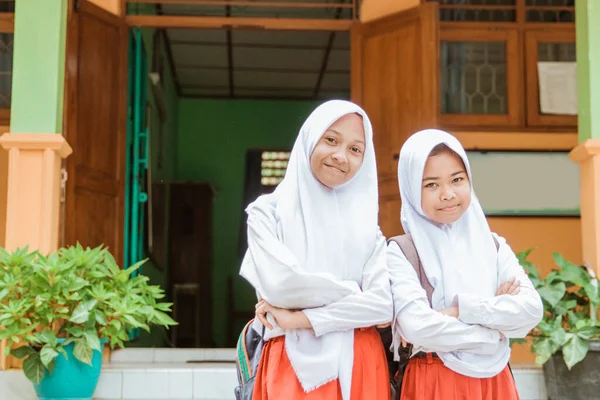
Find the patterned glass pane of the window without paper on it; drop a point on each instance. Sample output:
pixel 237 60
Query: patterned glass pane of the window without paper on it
pixel 473 77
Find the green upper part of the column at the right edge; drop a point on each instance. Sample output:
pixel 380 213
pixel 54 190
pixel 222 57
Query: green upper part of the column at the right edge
pixel 587 14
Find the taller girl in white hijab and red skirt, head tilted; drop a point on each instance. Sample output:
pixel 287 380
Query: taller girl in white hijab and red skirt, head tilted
pixel 316 258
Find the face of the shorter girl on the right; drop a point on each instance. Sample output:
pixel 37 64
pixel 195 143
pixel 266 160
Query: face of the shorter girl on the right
pixel 445 190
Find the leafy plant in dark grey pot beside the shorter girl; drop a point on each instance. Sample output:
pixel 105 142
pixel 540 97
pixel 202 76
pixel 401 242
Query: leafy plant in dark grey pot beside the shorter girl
pixel 567 340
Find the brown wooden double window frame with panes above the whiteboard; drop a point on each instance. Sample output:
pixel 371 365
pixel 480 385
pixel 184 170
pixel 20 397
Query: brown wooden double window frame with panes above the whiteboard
pixel 489 54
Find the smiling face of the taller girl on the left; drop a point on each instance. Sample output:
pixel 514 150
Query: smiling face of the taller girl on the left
pixel 339 153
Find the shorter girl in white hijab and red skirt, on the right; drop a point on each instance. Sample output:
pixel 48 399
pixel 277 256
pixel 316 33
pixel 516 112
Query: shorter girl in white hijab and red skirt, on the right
pixel 481 297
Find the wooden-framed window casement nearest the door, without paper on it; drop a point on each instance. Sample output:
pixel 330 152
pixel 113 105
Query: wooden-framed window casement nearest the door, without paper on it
pixel 478 84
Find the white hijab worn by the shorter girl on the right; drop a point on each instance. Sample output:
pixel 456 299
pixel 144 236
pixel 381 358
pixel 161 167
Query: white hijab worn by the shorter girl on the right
pixel 457 258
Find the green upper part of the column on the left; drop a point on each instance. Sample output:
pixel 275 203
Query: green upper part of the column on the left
pixel 38 66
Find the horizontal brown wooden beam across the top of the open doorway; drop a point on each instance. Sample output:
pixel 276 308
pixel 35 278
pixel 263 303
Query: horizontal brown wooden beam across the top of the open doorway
pixel 198 22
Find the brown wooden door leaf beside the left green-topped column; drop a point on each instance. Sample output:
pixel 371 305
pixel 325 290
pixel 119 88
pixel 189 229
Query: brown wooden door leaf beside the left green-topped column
pixel 95 127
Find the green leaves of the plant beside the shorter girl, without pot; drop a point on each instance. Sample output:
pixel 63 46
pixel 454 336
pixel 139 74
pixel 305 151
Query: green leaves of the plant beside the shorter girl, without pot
pixel 571 298
